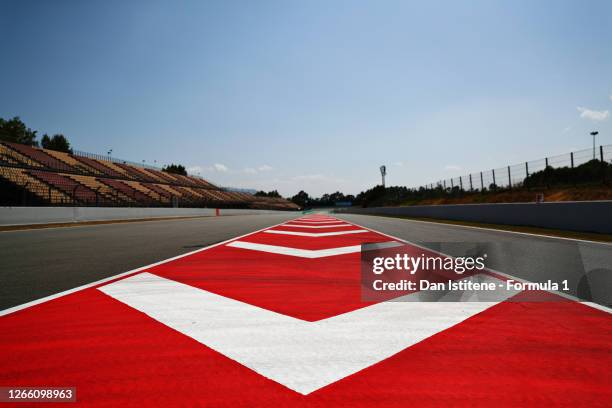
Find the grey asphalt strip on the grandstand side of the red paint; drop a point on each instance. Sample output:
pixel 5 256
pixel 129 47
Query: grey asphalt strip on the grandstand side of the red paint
pixel 42 262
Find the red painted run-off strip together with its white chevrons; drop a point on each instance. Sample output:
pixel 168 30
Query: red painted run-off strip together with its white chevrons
pixel 275 318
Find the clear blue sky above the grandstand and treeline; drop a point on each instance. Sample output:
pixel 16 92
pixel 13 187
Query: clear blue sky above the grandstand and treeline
pixel 312 95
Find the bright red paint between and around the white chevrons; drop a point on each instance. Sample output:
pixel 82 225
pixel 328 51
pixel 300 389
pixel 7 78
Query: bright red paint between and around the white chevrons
pixel 513 354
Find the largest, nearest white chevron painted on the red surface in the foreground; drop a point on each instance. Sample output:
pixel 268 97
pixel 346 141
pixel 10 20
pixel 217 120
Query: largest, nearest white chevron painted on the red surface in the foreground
pixel 303 356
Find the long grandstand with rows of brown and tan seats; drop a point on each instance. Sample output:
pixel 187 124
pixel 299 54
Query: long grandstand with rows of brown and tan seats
pixel 33 176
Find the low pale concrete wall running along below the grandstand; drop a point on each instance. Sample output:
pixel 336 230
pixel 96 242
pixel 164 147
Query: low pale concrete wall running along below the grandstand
pixel 49 215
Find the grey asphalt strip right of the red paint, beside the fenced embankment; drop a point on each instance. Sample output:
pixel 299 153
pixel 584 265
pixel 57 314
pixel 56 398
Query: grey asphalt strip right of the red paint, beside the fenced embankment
pixel 586 265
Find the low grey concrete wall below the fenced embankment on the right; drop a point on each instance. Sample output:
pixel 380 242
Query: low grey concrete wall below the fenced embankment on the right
pixel 586 216
